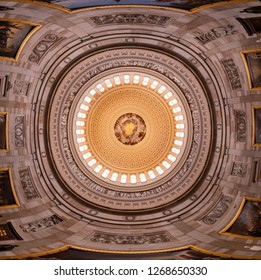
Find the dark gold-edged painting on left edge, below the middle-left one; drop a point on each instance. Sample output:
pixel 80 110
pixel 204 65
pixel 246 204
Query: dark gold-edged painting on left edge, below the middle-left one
pixel 7 193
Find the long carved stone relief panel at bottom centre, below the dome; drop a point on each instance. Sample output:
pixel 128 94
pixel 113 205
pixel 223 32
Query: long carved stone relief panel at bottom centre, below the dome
pixel 130 239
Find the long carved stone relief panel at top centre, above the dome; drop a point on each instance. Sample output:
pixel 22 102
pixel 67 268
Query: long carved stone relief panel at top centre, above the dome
pixel 130 18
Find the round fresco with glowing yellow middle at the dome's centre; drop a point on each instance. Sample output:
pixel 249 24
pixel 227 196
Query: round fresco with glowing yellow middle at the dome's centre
pixel 130 129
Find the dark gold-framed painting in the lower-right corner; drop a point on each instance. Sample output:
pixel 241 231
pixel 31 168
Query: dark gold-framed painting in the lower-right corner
pixel 248 223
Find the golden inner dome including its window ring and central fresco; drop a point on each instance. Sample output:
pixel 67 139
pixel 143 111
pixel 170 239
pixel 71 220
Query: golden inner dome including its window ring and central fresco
pixel 156 111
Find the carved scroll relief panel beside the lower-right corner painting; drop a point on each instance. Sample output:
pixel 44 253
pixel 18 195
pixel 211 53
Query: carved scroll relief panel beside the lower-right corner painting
pixel 218 211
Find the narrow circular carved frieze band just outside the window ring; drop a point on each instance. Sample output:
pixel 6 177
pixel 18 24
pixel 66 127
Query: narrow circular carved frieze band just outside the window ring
pixel 121 194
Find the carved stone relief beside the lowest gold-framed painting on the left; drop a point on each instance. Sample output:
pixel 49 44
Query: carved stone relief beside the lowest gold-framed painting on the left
pixel 28 186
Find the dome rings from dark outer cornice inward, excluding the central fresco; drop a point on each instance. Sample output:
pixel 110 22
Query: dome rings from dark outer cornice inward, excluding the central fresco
pixel 86 104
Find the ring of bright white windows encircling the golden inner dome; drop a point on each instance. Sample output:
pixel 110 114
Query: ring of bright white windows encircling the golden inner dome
pixel 136 79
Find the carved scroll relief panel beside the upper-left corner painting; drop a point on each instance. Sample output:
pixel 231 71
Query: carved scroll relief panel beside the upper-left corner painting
pixel 43 46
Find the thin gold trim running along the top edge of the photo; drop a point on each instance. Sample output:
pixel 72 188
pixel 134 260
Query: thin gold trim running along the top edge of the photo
pixel 67 10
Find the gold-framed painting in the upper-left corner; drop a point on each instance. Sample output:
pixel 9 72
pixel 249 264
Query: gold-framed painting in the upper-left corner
pixel 12 35
